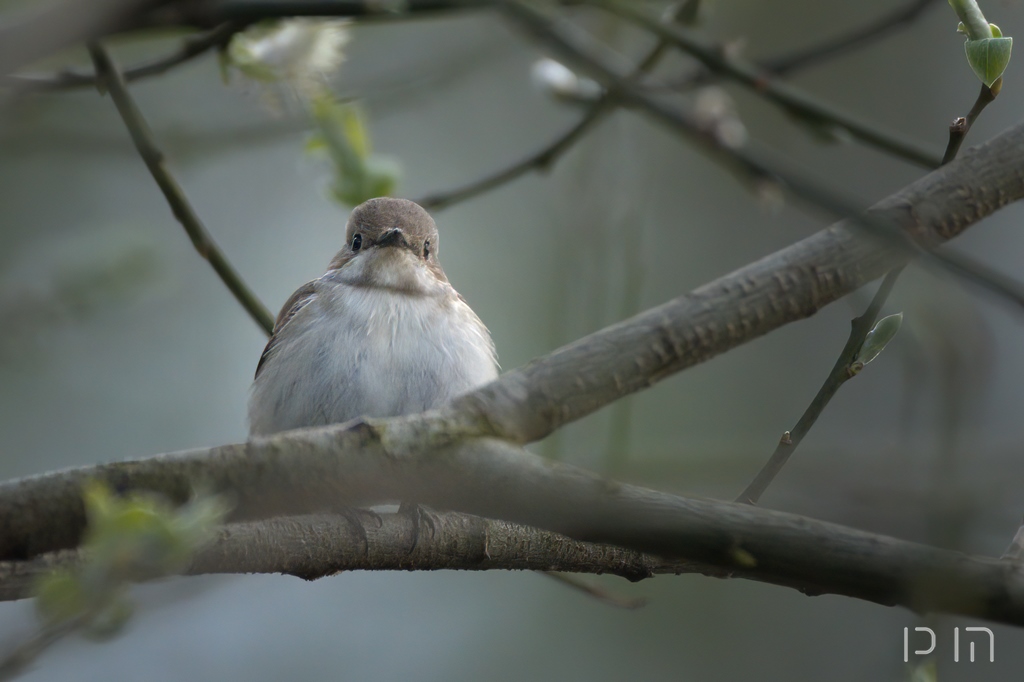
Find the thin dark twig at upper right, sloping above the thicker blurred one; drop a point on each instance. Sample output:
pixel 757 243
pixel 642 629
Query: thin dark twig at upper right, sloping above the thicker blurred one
pixel 790 99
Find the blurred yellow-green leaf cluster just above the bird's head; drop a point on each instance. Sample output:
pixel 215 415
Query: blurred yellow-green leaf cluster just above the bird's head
pixel 343 136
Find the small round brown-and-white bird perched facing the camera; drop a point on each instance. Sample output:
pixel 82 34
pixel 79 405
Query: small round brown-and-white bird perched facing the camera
pixel 382 333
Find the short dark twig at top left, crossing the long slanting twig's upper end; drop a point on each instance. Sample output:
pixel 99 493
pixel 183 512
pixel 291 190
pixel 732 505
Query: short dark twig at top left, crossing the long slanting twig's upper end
pixel 191 48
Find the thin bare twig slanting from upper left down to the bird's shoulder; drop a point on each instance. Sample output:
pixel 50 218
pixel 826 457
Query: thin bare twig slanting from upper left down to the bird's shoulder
pixel 108 72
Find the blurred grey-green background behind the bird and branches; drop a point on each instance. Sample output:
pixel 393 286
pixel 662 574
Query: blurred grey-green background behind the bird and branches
pixel 117 340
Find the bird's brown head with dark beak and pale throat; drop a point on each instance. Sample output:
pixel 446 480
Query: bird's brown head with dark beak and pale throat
pixel 388 238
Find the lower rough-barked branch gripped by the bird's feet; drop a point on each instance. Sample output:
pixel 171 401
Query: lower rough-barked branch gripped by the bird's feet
pixel 316 546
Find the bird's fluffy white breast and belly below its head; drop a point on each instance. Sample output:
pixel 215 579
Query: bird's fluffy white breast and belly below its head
pixel 371 352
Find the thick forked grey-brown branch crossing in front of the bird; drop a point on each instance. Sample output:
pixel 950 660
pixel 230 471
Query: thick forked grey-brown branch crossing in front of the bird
pixel 437 459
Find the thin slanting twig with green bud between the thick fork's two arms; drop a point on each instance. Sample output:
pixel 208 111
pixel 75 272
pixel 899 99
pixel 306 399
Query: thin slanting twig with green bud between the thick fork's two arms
pixel 839 376
